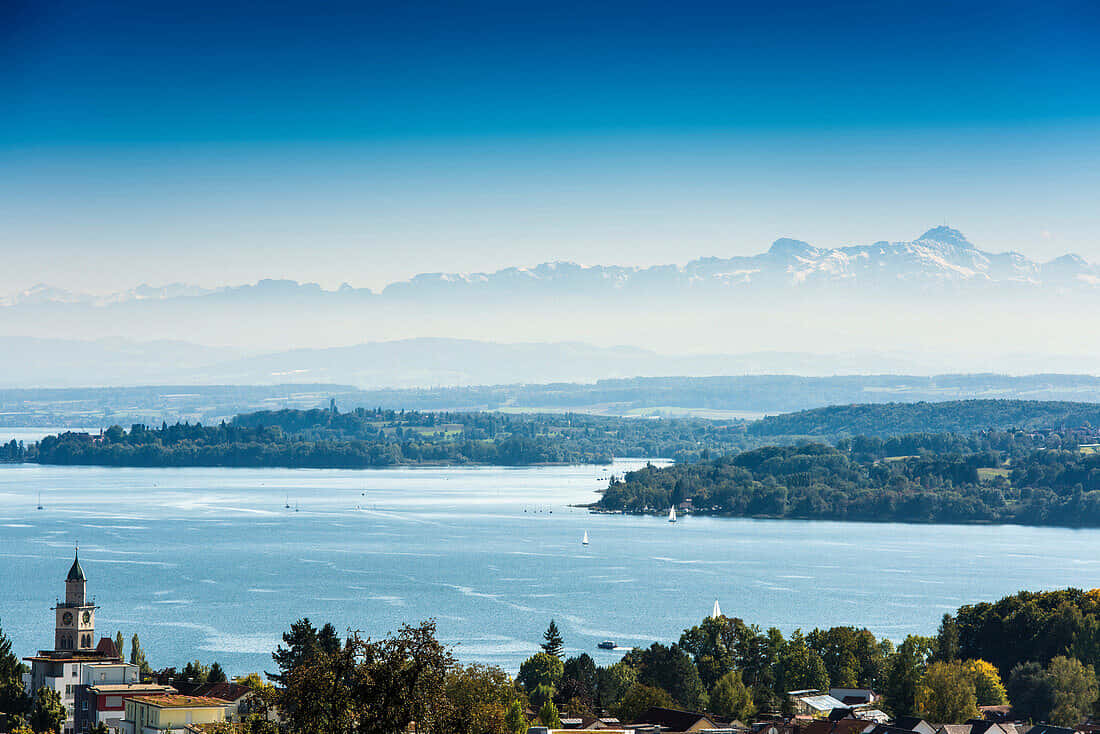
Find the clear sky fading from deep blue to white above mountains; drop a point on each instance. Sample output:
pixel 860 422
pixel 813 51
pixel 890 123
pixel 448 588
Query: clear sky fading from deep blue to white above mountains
pixel 224 143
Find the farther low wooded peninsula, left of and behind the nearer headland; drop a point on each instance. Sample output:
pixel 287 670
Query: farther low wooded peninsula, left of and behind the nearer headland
pixel 365 439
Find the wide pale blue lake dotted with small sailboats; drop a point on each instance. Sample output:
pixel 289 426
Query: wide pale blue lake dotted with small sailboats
pixel 210 564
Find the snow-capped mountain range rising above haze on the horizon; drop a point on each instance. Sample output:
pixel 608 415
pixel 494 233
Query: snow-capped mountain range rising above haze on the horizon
pixel 942 256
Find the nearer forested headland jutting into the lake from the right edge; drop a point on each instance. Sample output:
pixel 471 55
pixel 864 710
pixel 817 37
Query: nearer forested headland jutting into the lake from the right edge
pixel 1030 478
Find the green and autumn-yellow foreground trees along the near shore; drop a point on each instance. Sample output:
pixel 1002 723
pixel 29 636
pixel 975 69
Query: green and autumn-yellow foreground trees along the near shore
pixel 1035 654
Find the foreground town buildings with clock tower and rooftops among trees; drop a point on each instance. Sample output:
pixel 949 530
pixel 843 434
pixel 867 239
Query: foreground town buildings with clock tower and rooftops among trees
pixel 103 694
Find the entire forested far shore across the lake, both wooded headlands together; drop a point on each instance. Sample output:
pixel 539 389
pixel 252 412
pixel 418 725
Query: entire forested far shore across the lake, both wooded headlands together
pixel 992 462
